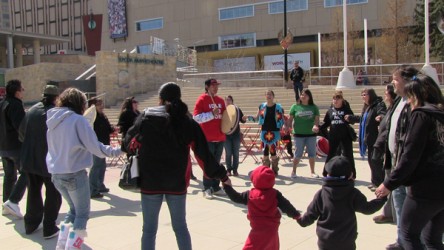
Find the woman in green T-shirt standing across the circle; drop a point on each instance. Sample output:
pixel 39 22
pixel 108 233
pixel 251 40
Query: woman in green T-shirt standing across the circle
pixel 304 116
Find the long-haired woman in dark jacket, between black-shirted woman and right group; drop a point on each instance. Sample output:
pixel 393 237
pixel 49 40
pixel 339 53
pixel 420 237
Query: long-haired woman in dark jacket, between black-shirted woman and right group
pixel 373 107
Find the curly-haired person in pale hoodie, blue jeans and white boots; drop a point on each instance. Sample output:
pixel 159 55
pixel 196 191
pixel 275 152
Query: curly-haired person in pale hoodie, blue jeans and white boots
pixel 71 144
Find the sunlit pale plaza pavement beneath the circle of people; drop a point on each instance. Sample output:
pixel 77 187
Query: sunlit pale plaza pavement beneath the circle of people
pixel 116 220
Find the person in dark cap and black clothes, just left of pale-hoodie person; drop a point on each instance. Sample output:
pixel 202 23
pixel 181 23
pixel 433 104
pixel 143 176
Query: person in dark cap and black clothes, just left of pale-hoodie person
pixel 32 133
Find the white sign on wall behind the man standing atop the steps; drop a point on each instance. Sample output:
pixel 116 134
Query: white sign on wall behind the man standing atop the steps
pixel 276 62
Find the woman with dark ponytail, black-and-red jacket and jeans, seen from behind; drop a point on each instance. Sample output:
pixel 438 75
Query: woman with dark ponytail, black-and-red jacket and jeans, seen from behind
pixel 163 137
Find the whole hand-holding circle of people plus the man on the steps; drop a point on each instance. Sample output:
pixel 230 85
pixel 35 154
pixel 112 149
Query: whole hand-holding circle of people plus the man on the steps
pixel 402 136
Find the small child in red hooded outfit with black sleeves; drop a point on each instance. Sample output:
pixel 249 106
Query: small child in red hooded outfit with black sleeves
pixel 263 202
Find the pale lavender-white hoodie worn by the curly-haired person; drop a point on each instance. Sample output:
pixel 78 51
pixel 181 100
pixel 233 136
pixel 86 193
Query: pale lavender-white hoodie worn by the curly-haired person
pixel 71 142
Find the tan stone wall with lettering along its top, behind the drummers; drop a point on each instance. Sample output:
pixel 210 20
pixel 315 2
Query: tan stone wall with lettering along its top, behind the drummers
pixel 120 75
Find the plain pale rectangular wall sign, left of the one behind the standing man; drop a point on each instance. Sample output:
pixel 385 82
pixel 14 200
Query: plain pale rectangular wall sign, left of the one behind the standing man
pixel 235 64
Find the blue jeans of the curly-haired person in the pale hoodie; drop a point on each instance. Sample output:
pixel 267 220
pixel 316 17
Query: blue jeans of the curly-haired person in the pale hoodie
pixel 74 188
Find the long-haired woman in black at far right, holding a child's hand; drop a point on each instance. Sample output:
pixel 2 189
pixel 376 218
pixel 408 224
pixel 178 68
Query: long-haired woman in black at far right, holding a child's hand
pixel 421 167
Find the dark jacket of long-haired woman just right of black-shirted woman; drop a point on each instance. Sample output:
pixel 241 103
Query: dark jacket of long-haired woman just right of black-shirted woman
pixel 371 125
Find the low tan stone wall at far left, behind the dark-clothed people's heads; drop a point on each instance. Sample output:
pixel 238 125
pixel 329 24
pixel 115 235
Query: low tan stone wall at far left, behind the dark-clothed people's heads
pixel 34 77
